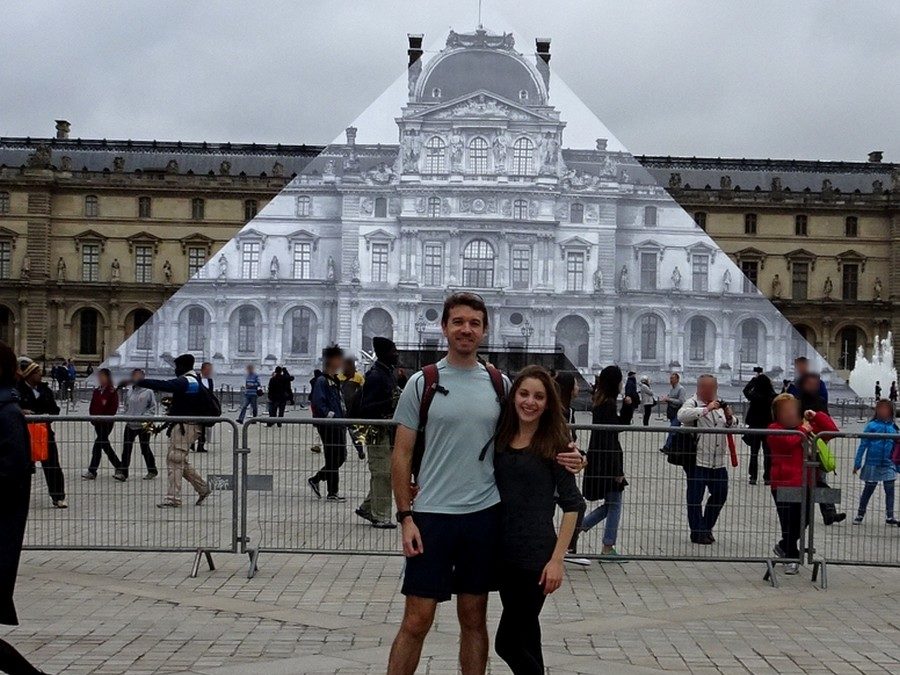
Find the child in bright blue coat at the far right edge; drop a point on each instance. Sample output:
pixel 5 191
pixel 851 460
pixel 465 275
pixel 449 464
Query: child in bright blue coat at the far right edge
pixel 873 462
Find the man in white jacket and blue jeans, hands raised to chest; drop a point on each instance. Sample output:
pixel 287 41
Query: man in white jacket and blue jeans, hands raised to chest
pixel 708 474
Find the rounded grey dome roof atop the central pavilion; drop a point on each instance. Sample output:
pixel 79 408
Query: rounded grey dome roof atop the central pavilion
pixel 468 68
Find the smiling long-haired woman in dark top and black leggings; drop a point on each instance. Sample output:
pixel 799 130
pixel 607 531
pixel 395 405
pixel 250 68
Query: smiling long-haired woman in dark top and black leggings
pixel 532 430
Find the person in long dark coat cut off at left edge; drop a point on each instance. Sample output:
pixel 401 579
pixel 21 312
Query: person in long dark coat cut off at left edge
pixel 15 494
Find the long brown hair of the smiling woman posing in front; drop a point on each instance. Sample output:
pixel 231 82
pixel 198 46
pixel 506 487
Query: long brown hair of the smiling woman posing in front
pixel 552 435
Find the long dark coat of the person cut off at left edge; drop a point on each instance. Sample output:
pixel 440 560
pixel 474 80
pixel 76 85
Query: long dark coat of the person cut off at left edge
pixel 15 494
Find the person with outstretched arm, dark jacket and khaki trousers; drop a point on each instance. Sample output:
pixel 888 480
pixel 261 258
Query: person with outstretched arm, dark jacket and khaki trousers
pixel 187 398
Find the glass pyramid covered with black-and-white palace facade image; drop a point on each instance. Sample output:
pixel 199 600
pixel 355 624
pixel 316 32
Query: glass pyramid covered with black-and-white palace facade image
pixel 501 182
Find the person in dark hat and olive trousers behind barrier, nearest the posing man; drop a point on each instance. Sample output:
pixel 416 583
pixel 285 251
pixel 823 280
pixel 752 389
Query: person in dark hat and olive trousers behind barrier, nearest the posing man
pixel 378 400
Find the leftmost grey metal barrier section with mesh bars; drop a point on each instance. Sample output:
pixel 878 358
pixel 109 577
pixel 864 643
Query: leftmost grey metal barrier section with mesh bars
pixel 106 513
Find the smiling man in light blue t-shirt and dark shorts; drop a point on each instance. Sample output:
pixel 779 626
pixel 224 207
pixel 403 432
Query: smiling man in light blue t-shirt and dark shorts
pixel 450 540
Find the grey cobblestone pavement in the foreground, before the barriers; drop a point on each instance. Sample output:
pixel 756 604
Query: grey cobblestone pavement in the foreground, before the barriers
pixel 91 612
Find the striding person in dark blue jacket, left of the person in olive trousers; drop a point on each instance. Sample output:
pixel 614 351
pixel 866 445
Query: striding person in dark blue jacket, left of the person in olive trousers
pixel 328 403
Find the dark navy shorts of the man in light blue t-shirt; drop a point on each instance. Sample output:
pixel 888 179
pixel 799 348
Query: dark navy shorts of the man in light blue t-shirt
pixel 461 555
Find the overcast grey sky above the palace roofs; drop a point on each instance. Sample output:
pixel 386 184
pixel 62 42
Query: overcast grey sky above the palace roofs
pixel 806 79
